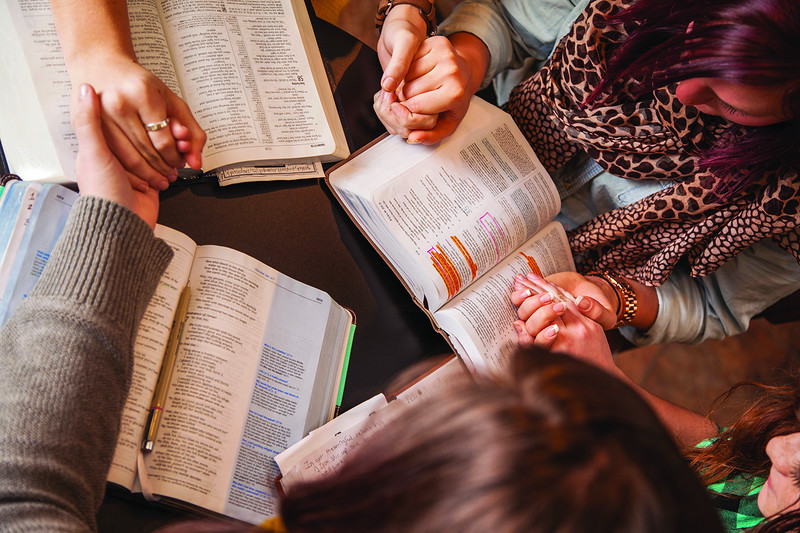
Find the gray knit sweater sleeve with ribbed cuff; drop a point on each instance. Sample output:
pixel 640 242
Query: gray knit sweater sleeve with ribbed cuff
pixel 65 366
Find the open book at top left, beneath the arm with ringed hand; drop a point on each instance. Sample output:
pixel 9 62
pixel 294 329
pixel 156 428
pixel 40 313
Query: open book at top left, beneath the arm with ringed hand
pixel 250 71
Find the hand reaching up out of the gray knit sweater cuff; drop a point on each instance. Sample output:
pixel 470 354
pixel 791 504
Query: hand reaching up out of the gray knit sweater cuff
pixel 99 172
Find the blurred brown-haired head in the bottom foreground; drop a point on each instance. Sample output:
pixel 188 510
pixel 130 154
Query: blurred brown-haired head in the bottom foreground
pixel 557 446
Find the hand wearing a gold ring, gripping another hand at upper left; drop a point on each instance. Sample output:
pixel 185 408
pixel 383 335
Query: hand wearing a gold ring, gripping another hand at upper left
pixel 131 97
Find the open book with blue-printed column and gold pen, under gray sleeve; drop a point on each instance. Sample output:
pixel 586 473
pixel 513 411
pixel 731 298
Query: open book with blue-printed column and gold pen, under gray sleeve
pixel 260 362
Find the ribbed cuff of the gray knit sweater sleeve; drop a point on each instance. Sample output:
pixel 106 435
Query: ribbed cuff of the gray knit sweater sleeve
pixel 107 259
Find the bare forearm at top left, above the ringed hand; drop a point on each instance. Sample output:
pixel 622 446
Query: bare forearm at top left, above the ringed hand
pixel 88 29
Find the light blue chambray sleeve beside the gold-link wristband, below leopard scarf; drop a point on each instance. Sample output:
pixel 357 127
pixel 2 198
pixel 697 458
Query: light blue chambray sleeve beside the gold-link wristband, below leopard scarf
pixel 722 303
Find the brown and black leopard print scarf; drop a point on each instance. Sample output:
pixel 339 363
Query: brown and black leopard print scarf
pixel 653 137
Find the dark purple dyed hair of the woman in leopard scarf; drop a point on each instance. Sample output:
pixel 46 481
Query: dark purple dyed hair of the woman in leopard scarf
pixel 751 42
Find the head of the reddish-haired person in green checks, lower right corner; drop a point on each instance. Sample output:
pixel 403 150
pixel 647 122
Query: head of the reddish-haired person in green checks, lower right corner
pixel 765 442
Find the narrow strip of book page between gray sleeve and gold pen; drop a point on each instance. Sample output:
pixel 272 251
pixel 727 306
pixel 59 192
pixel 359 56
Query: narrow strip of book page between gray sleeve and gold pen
pixel 148 351
